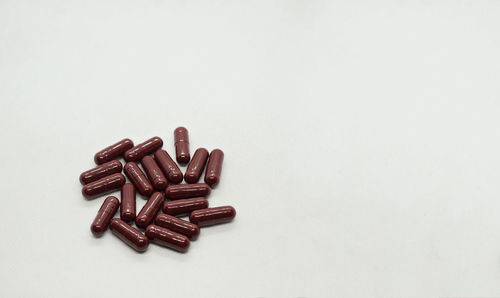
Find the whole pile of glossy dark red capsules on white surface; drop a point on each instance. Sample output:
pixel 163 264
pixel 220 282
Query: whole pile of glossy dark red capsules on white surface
pixel 161 184
